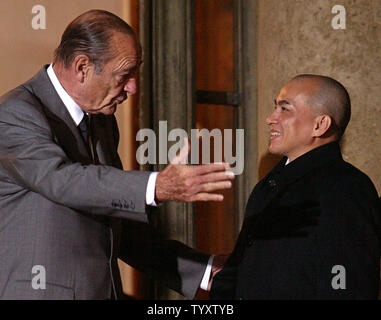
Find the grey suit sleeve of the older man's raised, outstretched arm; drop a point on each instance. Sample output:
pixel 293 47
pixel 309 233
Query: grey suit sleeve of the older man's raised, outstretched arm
pixel 32 160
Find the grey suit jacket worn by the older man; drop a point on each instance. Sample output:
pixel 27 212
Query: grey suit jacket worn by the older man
pixel 59 211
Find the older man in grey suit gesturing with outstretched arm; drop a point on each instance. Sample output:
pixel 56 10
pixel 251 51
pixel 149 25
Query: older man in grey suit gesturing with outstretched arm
pixel 62 187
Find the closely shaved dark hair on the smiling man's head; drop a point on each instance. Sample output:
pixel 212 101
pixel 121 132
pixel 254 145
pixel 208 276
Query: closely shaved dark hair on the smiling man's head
pixel 329 97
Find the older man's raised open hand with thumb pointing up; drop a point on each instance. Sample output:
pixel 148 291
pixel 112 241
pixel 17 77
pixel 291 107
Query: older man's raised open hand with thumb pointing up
pixel 181 182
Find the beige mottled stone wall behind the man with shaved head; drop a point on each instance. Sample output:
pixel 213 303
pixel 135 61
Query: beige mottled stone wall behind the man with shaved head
pixel 297 36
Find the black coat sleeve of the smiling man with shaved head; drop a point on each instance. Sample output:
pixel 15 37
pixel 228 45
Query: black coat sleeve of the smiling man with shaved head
pixel 348 244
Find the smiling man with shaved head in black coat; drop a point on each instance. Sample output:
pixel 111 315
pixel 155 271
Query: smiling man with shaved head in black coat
pixel 312 225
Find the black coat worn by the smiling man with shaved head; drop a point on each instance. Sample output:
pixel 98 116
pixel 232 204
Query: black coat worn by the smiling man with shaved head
pixel 301 221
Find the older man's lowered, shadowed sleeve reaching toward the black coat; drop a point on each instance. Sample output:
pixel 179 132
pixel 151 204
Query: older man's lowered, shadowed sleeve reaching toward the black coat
pixel 174 264
